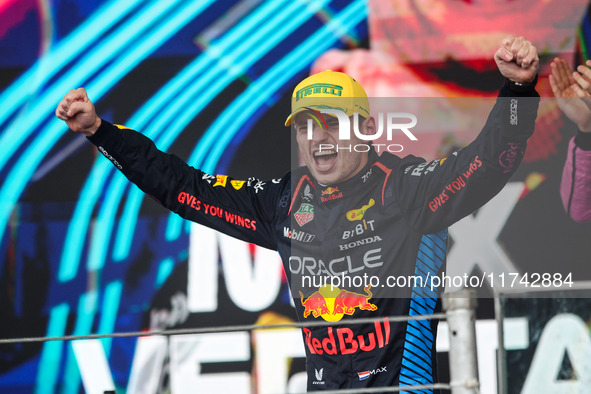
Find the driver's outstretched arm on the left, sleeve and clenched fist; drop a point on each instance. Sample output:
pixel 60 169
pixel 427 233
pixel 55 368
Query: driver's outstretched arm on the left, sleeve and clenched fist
pixel 245 209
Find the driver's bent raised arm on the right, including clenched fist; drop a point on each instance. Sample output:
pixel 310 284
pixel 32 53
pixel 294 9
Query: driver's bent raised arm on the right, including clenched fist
pixel 437 194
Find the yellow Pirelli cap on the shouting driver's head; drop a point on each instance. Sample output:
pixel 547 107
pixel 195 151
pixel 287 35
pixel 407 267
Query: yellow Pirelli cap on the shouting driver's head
pixel 329 90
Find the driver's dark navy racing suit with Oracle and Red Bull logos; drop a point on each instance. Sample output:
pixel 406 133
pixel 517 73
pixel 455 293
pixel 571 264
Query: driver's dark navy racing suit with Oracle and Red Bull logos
pixel 389 220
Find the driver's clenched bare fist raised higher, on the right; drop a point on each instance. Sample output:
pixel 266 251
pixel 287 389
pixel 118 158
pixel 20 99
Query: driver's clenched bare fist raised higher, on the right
pixel 517 59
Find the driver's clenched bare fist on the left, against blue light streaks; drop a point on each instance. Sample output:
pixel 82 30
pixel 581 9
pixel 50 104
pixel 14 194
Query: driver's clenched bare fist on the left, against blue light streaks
pixel 78 112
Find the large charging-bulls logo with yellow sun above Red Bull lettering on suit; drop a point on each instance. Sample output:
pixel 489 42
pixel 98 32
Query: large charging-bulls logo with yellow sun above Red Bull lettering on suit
pixel 333 303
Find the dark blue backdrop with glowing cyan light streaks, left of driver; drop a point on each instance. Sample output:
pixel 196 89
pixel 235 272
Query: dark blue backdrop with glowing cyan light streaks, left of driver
pixel 195 76
